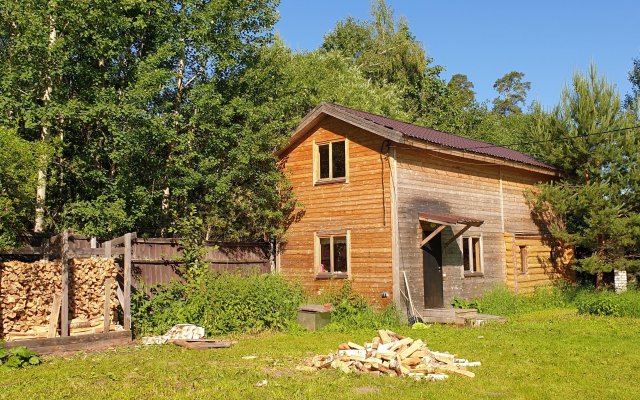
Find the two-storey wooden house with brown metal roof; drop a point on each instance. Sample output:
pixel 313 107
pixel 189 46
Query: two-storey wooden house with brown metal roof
pixel 409 214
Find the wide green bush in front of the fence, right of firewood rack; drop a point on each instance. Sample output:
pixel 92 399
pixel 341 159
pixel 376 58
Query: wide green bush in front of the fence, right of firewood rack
pixel 221 303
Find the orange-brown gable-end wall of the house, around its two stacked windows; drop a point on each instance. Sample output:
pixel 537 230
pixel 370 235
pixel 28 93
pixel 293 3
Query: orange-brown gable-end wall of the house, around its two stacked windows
pixel 362 205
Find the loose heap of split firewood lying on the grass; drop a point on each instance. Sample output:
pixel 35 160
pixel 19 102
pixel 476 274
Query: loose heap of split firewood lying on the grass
pixel 392 354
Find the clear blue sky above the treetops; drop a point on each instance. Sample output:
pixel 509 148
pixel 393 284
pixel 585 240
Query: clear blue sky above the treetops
pixel 547 40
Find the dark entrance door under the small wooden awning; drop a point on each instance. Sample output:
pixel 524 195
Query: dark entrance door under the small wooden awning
pixel 432 272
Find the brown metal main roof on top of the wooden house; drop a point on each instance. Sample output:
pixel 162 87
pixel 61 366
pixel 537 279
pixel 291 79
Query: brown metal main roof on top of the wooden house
pixel 446 139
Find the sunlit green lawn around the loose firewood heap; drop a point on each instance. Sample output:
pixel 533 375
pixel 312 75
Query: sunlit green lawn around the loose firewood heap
pixel 543 355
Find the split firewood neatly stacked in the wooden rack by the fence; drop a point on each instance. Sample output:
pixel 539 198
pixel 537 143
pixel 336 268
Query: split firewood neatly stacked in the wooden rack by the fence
pixel 27 292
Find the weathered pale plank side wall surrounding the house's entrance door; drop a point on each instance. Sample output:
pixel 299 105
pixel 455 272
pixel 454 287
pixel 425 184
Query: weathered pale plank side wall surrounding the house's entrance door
pixel 440 183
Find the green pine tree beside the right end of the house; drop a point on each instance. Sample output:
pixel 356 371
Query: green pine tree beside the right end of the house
pixel 596 207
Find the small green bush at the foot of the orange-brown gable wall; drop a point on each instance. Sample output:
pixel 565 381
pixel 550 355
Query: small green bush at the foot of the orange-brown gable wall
pixel 352 311
